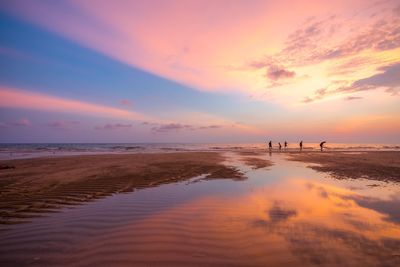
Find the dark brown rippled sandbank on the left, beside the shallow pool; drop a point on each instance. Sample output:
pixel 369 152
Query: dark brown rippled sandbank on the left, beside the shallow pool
pixel 30 187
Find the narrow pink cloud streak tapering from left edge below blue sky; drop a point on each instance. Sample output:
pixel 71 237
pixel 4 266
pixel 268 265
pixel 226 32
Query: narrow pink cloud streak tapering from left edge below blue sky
pixel 15 98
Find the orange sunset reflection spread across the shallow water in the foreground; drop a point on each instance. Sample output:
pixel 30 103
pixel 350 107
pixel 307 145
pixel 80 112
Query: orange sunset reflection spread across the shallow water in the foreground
pixel 294 222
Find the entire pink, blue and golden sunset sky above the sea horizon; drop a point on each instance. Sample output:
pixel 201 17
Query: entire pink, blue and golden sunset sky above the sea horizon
pixel 199 71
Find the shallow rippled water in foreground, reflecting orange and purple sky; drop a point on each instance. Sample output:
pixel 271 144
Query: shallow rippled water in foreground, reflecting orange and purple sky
pixel 285 215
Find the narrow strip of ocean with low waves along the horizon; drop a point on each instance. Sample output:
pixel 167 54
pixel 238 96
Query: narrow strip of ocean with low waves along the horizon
pixel 27 150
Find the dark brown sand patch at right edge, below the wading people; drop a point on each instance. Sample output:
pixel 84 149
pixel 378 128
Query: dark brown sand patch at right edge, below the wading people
pixel 377 165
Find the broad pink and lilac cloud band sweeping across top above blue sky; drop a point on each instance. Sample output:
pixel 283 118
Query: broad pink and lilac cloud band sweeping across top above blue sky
pixel 134 32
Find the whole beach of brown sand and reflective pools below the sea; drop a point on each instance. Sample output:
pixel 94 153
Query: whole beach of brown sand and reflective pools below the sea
pixel 202 208
